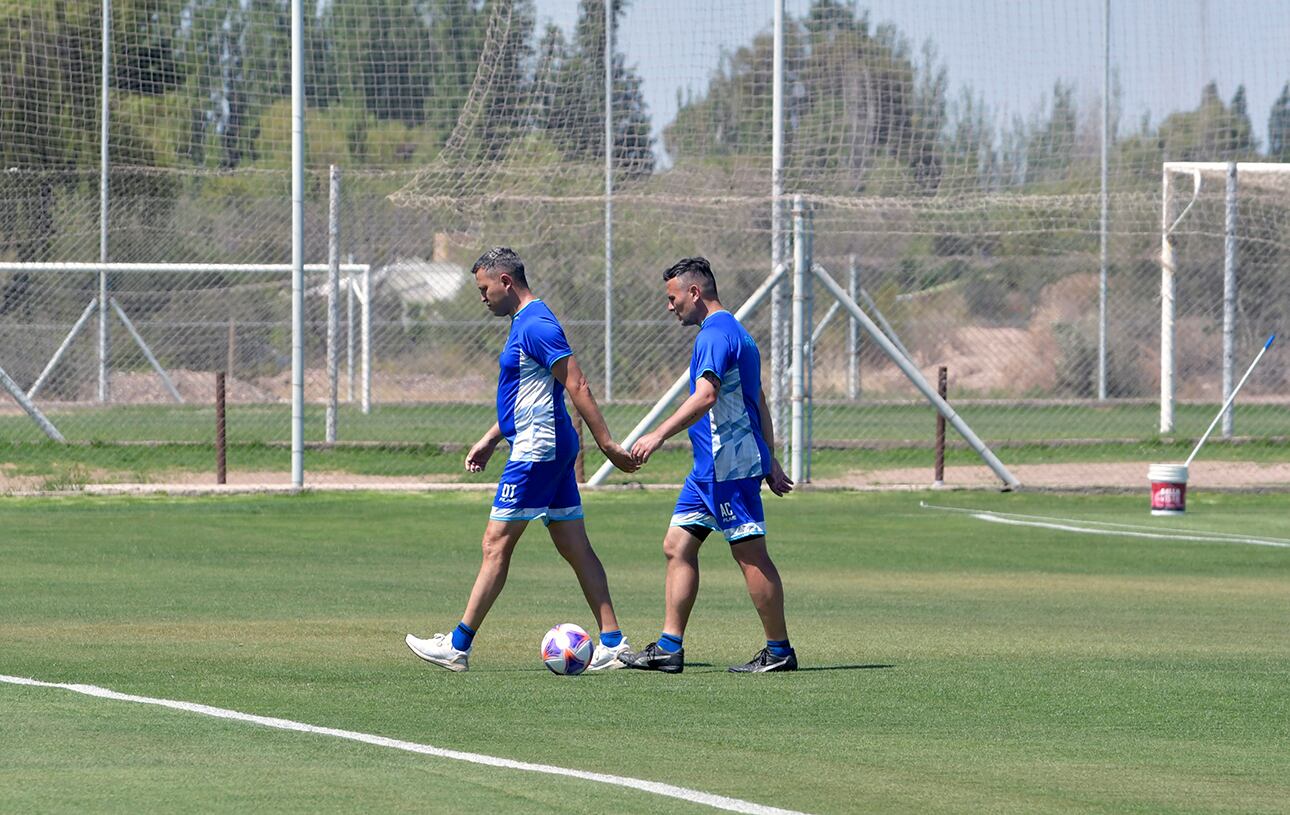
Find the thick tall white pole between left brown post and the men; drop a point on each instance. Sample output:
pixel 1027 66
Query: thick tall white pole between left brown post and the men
pixel 297 243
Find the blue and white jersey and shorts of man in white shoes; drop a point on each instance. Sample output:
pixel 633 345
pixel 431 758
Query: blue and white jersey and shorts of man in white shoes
pixel 539 480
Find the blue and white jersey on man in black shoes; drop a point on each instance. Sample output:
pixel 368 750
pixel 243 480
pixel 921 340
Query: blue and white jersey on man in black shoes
pixel 729 444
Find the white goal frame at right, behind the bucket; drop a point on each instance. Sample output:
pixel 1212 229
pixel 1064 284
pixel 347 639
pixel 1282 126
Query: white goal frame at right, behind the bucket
pixel 1200 175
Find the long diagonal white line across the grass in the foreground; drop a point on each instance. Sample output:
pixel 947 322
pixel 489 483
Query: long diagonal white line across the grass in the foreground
pixel 693 796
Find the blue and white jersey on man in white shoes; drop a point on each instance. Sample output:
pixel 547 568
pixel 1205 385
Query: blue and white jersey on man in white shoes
pixel 531 409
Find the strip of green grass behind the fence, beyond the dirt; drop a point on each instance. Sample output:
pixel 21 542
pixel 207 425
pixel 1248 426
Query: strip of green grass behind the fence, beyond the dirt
pixel 410 440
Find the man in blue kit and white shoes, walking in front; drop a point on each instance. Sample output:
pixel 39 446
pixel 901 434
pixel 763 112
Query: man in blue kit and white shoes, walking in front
pixel 537 367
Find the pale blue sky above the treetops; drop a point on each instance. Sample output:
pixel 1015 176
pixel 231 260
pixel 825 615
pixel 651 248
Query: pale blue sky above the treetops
pixel 1011 52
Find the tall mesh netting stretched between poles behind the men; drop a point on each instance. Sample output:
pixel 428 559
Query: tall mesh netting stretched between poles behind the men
pixel 950 159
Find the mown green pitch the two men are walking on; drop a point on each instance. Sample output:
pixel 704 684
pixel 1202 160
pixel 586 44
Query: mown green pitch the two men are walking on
pixel 949 665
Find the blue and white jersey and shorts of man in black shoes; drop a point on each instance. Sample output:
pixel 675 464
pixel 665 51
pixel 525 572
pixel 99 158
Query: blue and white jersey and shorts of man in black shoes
pixel 723 492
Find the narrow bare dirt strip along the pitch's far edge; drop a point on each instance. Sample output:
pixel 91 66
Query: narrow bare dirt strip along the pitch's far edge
pixel 1128 476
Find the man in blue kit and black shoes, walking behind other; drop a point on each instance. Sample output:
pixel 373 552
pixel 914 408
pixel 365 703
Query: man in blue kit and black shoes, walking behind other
pixel 733 439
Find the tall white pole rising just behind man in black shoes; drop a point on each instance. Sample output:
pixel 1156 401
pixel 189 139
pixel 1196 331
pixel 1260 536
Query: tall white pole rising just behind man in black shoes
pixel 779 305
